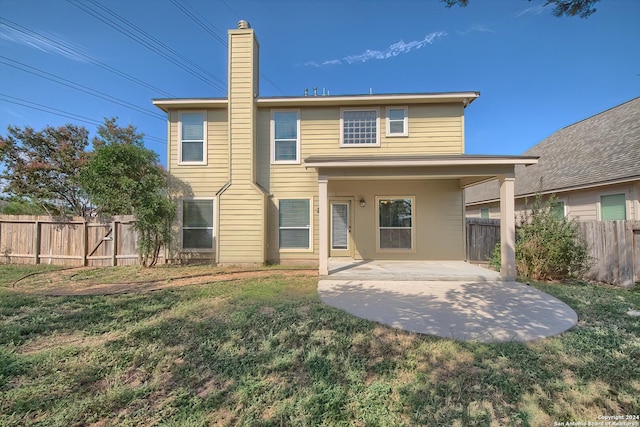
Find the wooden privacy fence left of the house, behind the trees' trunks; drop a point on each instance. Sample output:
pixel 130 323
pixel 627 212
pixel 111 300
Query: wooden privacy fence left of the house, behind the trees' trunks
pixel 27 239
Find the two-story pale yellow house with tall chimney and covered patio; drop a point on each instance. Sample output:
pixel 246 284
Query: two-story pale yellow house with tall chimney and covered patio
pixel 302 179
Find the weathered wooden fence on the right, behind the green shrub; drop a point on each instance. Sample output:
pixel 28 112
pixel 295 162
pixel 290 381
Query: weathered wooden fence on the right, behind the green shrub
pixel 614 247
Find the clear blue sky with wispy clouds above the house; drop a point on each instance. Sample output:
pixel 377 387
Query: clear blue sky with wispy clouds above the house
pixel 536 73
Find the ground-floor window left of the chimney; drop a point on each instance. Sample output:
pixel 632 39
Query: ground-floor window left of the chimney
pixel 197 224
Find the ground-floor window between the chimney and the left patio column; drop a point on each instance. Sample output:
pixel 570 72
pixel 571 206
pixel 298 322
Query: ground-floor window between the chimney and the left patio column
pixel 294 223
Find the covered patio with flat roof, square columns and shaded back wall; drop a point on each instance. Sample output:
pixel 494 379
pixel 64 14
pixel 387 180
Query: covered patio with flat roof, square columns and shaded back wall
pixel 346 177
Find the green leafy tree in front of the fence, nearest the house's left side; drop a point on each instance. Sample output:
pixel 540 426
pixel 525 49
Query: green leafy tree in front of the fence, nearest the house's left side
pixel 123 177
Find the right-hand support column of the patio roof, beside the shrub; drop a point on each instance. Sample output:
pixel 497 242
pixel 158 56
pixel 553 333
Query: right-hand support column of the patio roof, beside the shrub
pixel 507 227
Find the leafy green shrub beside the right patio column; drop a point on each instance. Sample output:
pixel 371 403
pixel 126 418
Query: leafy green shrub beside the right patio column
pixel 548 245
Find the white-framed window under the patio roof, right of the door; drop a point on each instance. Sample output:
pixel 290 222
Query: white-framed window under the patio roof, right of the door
pixel 395 223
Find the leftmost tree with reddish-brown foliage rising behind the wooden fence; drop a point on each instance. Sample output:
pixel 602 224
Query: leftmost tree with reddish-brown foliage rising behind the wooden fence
pixel 45 166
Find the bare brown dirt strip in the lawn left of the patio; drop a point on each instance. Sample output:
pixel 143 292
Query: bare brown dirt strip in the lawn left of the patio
pixel 61 283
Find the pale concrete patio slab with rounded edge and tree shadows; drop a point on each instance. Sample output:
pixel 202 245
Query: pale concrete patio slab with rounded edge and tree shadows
pixel 482 310
